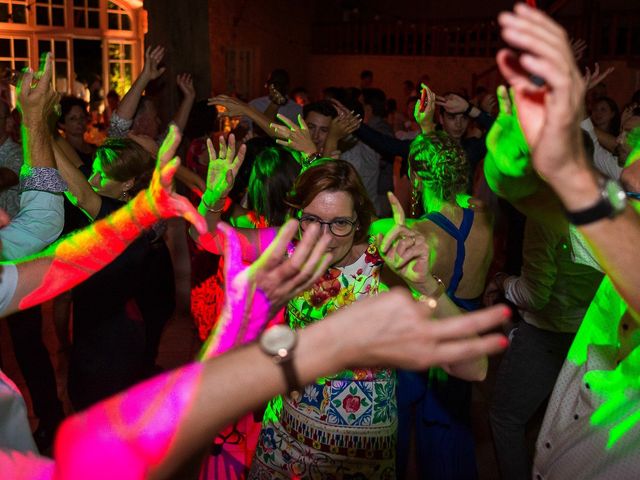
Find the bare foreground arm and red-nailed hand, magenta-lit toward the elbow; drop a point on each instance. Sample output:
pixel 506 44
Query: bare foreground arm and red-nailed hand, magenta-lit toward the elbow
pixel 149 430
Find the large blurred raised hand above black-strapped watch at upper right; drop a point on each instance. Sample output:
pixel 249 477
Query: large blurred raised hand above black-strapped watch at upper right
pixel 549 115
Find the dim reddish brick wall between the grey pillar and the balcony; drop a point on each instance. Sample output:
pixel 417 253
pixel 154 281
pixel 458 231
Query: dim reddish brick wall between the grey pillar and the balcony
pixel 278 31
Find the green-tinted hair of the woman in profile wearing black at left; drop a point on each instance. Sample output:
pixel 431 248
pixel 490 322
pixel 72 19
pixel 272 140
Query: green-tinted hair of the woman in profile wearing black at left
pixel 122 159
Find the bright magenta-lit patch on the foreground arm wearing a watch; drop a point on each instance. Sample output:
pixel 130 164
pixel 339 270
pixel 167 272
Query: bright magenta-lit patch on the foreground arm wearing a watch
pixel 128 435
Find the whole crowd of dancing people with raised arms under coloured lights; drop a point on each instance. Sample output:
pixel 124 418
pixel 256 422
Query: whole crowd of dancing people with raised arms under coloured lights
pixel 343 277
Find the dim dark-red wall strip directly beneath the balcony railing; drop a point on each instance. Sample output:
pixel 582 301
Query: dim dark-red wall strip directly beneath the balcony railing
pixel 446 73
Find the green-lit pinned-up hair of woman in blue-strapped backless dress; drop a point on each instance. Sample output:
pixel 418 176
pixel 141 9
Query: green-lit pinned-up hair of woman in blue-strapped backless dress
pixel 440 165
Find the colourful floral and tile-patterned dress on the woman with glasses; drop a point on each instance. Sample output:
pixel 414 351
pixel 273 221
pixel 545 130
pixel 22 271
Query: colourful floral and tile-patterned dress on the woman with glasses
pixel 343 426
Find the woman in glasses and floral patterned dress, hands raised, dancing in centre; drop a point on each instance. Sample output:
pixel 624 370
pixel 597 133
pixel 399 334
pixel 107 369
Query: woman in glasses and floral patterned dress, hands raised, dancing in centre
pixel 344 424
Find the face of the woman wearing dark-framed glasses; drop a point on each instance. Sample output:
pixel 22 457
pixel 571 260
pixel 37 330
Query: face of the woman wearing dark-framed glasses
pixel 334 207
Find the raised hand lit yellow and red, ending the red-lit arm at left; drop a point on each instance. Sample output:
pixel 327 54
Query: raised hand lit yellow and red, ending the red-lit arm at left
pixel 163 200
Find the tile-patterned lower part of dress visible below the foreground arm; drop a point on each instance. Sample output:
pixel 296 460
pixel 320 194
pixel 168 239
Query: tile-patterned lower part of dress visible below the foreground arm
pixel 340 428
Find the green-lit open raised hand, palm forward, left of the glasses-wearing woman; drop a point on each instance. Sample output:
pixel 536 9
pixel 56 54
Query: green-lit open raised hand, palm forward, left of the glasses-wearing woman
pixel 223 169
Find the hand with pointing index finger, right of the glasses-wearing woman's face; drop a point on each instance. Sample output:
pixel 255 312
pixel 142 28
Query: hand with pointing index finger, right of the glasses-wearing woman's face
pixel 405 251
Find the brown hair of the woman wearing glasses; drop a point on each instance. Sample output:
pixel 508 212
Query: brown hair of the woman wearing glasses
pixel 327 175
